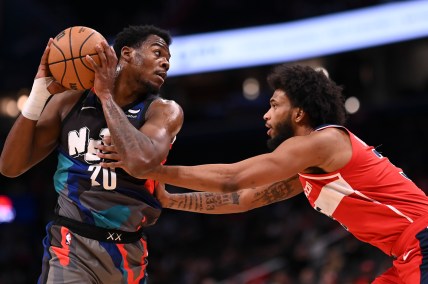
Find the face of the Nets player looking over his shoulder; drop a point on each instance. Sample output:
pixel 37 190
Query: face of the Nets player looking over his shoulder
pixel 152 62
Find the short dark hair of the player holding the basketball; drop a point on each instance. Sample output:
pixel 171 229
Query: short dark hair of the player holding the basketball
pixel 134 36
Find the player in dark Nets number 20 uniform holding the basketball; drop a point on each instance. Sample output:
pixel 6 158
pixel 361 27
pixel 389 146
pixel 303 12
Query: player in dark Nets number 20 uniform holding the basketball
pixel 98 233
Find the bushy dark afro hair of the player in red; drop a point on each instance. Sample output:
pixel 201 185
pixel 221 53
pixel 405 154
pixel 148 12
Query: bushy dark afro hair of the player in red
pixel 311 90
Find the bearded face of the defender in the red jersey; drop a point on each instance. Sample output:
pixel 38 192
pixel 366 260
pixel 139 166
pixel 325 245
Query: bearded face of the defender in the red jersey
pixel 278 120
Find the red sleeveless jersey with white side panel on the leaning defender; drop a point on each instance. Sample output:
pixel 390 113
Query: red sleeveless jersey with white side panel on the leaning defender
pixel 369 196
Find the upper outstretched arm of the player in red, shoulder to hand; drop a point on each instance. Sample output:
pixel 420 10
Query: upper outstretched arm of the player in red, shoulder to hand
pixel 327 150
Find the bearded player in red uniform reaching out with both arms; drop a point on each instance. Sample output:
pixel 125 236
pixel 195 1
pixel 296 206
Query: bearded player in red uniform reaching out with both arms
pixel 341 176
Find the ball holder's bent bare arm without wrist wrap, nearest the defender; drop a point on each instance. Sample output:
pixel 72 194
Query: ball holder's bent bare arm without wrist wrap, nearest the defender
pixel 143 148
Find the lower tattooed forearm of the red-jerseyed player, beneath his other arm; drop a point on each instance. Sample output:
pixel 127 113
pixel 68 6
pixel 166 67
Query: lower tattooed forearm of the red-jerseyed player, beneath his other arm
pixel 234 202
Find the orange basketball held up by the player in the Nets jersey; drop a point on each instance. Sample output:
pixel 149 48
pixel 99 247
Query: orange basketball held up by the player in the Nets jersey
pixel 67 54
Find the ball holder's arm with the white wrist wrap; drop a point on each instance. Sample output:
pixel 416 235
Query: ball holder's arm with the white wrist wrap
pixel 35 132
